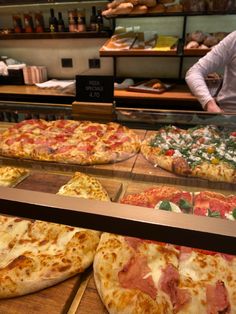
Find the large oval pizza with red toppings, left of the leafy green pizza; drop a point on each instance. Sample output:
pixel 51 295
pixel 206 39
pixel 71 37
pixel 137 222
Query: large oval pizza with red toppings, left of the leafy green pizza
pixel 69 141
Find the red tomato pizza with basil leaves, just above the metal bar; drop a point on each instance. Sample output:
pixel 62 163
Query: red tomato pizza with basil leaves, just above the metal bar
pixel 170 198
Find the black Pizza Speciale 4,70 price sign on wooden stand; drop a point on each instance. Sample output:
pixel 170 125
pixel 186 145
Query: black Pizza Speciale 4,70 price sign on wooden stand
pixel 94 88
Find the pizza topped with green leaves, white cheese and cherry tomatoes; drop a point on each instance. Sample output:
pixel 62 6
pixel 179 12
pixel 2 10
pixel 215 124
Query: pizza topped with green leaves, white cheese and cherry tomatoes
pixel 204 152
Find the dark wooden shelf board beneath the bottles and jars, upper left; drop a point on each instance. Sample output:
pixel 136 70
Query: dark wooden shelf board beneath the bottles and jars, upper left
pixel 59 35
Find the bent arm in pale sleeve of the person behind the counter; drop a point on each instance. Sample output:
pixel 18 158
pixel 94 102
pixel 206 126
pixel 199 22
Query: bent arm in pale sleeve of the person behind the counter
pixel 217 58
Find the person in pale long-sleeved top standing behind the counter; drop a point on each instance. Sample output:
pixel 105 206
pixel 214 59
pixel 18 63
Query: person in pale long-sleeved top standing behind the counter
pixel 222 56
